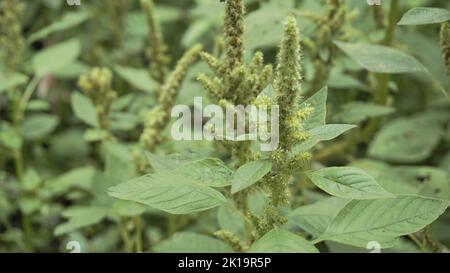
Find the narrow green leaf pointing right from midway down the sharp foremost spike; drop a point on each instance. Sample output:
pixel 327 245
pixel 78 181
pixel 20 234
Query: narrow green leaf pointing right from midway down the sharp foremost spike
pixel 323 133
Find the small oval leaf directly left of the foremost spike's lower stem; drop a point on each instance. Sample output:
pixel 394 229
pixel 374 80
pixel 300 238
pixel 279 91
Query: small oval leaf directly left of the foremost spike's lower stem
pixel 249 174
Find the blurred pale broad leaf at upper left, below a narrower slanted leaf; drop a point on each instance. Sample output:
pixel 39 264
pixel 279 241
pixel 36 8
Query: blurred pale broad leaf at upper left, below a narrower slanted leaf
pixel 56 57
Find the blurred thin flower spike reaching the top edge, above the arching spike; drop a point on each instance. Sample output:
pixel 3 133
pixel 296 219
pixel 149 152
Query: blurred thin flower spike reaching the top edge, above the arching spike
pixel 157 50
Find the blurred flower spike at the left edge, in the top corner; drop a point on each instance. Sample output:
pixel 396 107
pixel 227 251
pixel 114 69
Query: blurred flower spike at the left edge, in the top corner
pixel 12 42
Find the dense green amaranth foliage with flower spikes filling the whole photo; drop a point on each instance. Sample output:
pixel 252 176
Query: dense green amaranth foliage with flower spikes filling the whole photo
pixel 87 155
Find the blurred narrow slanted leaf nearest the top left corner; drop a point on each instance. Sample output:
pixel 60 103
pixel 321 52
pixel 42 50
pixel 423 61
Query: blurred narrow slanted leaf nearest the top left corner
pixel 69 20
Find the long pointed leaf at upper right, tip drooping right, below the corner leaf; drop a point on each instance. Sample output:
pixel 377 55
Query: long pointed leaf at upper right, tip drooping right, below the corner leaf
pixel 381 59
